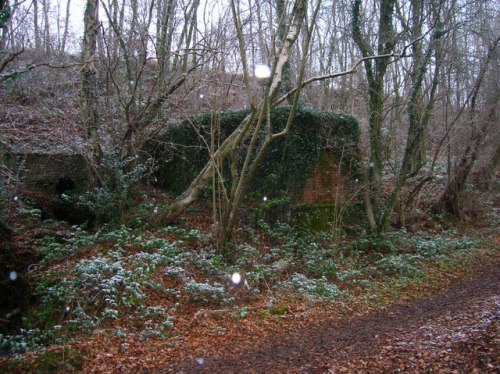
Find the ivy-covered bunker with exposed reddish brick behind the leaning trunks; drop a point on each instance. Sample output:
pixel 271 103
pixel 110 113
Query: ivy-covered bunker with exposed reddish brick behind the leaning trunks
pixel 317 163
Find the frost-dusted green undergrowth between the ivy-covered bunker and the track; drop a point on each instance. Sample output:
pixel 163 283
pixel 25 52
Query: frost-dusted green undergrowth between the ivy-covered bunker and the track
pixel 136 281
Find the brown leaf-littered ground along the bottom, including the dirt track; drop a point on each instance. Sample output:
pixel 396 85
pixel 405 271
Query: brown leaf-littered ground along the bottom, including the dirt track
pixel 449 324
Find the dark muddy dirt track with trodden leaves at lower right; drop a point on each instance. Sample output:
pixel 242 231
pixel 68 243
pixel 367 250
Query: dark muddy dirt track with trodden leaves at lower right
pixel 453 332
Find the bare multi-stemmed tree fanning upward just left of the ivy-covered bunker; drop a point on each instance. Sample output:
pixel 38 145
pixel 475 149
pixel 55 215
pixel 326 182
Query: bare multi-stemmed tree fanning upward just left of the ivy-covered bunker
pixel 145 74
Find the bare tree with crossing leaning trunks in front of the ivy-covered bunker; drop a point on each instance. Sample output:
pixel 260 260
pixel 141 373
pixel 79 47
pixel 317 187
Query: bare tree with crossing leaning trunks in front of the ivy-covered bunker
pixel 252 124
